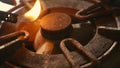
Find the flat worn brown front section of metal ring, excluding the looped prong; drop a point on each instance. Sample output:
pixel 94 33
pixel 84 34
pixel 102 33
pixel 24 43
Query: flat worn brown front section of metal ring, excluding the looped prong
pixel 59 60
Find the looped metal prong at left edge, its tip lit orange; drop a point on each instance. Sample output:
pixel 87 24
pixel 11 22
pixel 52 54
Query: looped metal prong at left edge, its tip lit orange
pixel 21 35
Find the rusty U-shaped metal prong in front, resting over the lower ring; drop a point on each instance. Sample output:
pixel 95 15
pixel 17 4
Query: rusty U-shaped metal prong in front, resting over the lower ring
pixel 79 47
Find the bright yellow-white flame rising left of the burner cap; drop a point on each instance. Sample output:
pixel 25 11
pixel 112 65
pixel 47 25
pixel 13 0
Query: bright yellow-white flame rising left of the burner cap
pixel 34 12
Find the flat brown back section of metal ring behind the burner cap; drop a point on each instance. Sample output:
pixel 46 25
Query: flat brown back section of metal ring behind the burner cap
pixel 76 4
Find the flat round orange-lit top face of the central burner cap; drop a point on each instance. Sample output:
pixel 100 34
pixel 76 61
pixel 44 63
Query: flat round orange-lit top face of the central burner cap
pixel 55 21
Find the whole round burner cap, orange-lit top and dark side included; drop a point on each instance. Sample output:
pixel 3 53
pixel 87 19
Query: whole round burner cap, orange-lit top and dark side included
pixel 56 26
